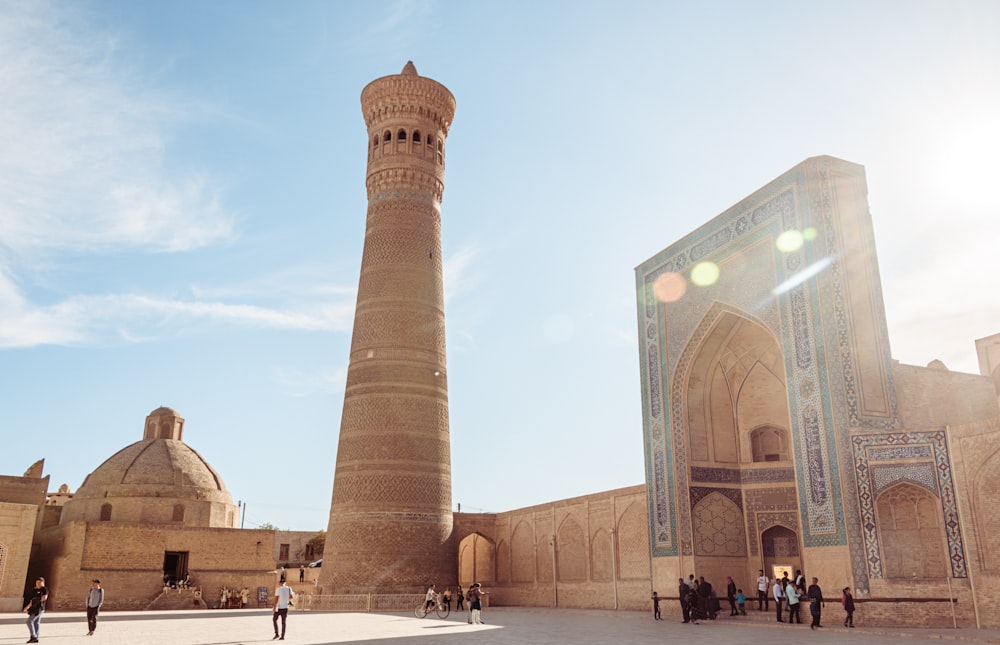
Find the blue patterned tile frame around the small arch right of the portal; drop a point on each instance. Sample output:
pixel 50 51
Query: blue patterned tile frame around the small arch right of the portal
pixel 870 475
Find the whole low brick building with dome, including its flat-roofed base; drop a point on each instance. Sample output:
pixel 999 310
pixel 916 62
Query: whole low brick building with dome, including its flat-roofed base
pixel 154 517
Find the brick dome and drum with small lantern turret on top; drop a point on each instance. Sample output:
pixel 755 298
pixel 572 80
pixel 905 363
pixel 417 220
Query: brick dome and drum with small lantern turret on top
pixel 158 480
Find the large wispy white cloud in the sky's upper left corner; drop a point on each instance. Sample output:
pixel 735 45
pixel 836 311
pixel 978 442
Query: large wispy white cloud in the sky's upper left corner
pixel 81 166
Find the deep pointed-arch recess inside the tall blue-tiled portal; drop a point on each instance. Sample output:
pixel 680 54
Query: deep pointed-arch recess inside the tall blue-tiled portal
pixel 737 441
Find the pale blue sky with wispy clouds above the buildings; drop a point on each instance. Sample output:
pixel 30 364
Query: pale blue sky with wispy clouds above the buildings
pixel 182 212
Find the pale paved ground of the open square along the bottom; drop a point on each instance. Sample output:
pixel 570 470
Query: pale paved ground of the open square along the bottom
pixel 507 626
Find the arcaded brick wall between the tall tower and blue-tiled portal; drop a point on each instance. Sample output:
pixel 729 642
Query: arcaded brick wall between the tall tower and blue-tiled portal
pixel 586 552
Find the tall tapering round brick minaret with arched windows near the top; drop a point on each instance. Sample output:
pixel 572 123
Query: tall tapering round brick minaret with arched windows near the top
pixel 390 519
